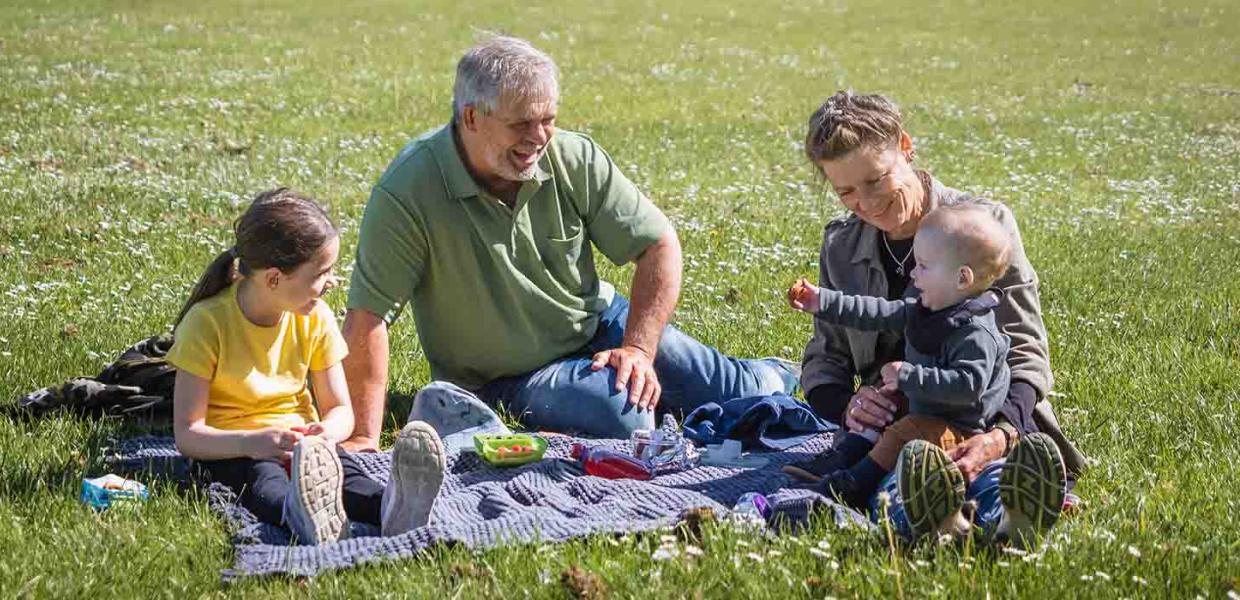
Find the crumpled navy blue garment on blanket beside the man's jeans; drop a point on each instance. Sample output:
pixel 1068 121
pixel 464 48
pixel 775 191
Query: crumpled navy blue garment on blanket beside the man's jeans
pixel 774 422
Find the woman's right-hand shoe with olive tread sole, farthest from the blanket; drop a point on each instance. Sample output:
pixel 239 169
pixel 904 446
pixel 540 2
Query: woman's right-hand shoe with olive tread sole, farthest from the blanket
pixel 1032 488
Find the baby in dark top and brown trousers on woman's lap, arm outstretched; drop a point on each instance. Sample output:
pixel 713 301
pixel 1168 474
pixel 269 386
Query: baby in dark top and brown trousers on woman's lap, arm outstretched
pixel 954 375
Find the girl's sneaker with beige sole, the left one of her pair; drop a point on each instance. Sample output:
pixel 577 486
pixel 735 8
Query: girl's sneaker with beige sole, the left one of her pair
pixel 314 509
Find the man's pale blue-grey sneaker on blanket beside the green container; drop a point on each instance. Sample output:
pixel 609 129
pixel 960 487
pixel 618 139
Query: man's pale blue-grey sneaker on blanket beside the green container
pixel 456 415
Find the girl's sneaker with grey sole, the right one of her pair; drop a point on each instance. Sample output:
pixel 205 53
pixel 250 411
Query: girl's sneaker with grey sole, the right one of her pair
pixel 417 474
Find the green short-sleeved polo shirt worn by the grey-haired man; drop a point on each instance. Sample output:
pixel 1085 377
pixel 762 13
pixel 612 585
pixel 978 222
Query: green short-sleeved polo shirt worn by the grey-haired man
pixel 498 292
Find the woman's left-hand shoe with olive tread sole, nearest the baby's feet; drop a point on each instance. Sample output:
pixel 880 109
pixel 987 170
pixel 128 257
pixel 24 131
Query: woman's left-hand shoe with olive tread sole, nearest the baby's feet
pixel 933 490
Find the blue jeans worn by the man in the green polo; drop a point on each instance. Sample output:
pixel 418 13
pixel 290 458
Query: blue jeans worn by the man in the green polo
pixel 567 396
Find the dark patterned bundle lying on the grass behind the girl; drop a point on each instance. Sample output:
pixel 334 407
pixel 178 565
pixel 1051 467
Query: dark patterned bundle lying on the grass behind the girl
pixel 138 385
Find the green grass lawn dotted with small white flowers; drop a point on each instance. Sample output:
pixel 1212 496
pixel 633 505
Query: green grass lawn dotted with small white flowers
pixel 132 132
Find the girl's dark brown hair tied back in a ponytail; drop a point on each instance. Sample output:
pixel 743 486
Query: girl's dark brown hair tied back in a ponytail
pixel 282 229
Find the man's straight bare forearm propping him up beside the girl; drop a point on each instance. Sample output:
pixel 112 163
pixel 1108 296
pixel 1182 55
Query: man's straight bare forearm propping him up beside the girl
pixel 366 370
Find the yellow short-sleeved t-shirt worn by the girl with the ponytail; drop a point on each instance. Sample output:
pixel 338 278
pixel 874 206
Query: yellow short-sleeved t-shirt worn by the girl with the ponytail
pixel 259 375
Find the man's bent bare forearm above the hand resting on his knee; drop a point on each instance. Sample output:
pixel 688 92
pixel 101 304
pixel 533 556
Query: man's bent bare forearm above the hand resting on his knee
pixel 657 286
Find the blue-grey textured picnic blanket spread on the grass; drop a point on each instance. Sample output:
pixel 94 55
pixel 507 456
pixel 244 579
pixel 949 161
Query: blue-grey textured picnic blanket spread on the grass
pixel 482 506
